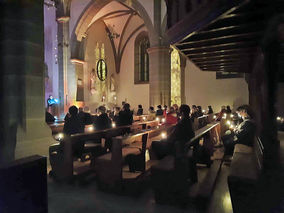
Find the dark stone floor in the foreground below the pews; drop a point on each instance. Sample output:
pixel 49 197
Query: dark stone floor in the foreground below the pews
pixel 86 198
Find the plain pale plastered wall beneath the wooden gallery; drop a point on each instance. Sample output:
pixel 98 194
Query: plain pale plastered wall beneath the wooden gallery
pixel 202 88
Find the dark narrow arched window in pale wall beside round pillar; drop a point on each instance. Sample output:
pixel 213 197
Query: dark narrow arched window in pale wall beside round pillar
pixel 141 71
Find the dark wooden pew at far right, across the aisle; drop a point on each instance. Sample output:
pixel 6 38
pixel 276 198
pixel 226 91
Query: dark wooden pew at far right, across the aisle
pixel 245 170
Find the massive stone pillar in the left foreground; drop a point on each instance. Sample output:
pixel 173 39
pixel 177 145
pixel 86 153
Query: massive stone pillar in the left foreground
pixel 23 128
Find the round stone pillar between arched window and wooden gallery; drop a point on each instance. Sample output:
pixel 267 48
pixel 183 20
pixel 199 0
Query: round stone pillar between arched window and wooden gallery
pixel 160 75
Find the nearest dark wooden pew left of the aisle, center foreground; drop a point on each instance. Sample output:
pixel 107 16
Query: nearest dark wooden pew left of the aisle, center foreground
pixel 169 175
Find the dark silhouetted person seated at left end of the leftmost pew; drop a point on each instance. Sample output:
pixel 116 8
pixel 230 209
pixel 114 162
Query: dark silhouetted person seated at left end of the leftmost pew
pixel 73 124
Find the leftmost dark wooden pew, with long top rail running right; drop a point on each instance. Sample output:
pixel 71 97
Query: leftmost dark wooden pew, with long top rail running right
pixel 64 155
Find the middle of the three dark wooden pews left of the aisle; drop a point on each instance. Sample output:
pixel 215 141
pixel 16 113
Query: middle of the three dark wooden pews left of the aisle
pixel 111 169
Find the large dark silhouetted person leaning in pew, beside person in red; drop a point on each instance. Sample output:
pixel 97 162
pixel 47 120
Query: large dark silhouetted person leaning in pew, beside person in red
pixel 181 133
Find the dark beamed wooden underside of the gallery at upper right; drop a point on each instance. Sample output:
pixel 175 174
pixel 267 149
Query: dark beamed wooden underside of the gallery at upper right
pixel 229 42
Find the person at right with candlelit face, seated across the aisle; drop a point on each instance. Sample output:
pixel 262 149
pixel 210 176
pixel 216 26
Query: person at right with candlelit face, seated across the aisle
pixel 243 133
